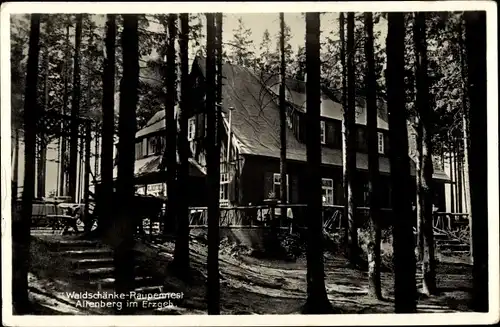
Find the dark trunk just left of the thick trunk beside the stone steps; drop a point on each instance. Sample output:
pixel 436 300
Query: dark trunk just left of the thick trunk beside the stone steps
pixel 106 192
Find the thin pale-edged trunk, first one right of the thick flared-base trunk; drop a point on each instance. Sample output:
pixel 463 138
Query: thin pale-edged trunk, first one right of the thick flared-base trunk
pixel 345 216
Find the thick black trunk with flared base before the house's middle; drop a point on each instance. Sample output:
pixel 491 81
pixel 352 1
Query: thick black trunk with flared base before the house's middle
pixel 317 300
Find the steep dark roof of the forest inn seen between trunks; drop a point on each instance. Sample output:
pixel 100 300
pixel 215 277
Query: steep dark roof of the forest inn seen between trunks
pixel 256 125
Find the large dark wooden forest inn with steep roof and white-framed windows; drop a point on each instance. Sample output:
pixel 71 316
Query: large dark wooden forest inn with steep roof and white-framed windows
pixel 251 144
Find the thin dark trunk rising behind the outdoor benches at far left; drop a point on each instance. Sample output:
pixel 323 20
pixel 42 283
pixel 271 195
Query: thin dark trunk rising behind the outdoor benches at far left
pixel 75 111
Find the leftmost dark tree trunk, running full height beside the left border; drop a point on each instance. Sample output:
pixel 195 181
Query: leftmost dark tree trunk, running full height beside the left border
pixel 21 228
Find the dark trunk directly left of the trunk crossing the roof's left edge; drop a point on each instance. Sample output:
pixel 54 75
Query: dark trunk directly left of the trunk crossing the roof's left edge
pixel 181 253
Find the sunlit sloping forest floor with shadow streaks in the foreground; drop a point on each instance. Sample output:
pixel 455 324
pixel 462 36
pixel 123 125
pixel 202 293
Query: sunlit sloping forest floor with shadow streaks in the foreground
pixel 251 285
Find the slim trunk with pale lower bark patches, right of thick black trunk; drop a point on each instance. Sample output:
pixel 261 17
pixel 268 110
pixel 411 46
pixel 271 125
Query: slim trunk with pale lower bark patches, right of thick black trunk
pixel 427 127
